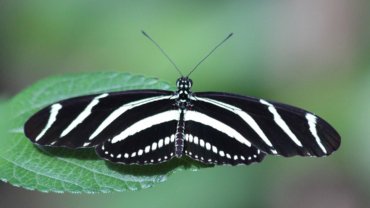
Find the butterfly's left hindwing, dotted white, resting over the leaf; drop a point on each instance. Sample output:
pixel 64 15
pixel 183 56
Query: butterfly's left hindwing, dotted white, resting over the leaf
pixel 147 146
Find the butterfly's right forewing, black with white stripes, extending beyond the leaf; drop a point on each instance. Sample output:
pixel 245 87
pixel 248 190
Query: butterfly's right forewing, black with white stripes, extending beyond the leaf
pixel 272 127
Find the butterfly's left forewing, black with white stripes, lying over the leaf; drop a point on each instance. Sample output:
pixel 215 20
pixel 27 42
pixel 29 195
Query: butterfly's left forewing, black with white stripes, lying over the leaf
pixel 89 120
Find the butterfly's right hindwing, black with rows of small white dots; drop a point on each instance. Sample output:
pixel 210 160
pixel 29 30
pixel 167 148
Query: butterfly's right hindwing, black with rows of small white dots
pixel 210 145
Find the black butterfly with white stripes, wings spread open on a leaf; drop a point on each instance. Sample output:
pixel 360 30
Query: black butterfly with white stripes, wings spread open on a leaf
pixel 154 126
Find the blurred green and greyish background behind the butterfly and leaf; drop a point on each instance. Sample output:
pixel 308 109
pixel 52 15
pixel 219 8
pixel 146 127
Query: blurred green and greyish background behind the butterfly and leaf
pixel 312 54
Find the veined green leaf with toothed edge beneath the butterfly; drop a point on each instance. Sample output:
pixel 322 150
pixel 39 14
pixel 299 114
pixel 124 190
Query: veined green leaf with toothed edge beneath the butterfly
pixel 65 170
